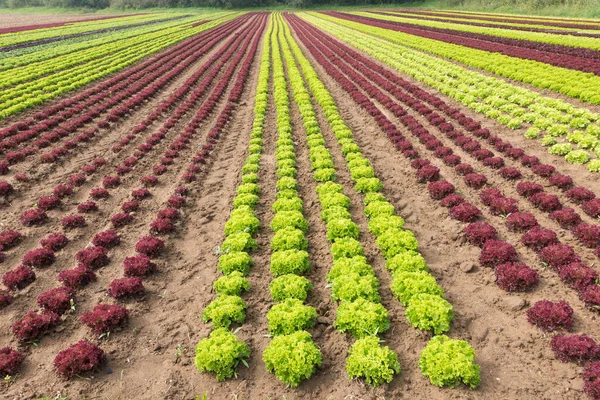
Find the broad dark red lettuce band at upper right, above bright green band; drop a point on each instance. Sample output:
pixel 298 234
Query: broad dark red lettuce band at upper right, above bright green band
pixel 561 56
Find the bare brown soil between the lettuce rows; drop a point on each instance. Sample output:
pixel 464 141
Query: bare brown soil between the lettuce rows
pixel 515 358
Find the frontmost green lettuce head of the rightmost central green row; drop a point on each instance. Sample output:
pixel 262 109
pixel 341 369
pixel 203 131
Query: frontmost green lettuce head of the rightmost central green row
pixel 446 362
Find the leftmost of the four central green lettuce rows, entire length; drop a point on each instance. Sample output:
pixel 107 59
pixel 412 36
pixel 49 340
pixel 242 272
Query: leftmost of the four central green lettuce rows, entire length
pixel 222 351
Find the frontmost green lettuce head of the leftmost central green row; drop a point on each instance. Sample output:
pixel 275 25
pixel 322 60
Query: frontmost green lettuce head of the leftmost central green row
pixel 220 353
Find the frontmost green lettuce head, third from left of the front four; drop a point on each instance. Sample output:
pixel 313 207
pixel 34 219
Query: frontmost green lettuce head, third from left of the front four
pixel 367 359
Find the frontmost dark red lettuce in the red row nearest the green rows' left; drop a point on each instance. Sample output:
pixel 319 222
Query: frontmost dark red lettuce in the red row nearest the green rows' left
pixel 78 358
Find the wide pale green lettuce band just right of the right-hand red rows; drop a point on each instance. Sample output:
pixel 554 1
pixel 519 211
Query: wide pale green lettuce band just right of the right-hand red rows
pixel 508 104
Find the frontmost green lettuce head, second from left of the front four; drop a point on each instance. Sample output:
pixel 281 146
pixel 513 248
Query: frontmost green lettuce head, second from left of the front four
pixel 292 358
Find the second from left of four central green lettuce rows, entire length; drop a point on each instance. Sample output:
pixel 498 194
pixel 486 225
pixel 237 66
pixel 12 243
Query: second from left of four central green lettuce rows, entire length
pixel 292 354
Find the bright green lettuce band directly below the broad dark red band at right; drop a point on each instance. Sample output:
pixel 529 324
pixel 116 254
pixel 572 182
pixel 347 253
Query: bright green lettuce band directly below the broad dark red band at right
pixel 571 83
